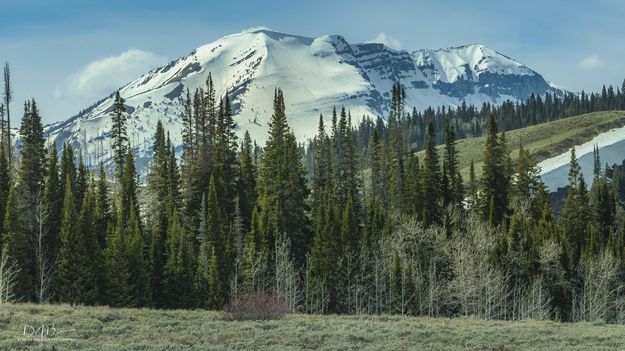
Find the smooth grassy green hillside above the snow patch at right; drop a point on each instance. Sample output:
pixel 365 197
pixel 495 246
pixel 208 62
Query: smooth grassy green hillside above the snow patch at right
pixel 543 140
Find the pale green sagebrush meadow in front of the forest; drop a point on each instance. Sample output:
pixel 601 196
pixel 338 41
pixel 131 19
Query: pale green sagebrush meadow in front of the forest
pixel 102 328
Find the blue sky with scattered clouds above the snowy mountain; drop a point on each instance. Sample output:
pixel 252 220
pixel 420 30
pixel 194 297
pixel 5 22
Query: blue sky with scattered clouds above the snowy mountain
pixel 69 54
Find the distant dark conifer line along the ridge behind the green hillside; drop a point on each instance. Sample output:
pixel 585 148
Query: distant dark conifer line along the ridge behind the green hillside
pixel 471 121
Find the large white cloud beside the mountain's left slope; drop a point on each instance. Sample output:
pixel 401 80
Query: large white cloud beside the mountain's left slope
pixel 104 75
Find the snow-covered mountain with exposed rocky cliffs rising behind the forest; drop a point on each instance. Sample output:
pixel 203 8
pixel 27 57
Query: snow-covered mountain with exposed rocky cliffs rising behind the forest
pixel 315 74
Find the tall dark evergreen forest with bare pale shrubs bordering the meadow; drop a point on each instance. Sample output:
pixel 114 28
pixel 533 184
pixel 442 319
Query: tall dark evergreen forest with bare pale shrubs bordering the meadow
pixel 228 219
